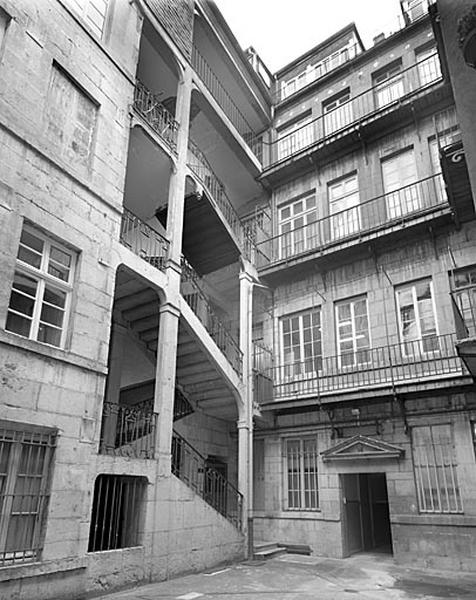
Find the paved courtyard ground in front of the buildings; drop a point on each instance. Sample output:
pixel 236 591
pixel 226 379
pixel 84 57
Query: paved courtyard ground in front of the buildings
pixel 295 577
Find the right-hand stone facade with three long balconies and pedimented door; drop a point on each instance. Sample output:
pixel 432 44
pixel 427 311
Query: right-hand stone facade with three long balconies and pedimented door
pixel 366 440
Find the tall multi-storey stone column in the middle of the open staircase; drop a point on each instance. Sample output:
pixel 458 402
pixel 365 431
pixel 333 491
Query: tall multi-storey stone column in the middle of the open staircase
pixel 170 311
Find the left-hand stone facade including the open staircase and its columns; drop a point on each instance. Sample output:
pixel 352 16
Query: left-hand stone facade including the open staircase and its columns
pixel 125 409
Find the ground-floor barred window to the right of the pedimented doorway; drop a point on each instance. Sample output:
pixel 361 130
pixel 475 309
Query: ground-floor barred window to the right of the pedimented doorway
pixel 436 470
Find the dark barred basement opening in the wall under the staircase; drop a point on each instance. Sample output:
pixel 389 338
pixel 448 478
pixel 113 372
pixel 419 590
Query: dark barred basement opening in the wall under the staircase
pixel 116 513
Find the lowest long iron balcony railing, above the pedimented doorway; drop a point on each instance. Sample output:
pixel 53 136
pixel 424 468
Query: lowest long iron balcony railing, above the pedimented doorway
pixel 408 362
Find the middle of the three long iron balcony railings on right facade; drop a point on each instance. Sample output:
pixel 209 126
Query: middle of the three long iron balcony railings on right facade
pixel 392 208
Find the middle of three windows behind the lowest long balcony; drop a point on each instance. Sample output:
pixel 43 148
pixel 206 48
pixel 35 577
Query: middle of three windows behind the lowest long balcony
pixel 353 339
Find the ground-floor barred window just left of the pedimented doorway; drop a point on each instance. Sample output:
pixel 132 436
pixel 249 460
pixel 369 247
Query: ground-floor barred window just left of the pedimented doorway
pixel 301 466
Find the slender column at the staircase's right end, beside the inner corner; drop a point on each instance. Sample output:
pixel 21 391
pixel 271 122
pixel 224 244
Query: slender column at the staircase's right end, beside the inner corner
pixel 245 423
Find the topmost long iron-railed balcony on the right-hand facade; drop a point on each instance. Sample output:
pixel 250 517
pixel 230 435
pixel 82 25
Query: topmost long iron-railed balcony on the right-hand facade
pixel 384 99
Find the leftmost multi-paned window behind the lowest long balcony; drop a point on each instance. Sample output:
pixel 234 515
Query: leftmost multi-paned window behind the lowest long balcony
pixel 301 343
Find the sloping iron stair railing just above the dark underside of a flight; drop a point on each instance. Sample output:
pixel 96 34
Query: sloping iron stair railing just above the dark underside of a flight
pixel 199 164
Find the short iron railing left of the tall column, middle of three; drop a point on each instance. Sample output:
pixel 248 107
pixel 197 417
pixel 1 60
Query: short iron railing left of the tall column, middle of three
pixel 144 241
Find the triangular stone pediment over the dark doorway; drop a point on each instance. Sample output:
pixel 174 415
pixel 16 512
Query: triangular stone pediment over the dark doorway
pixel 361 446
